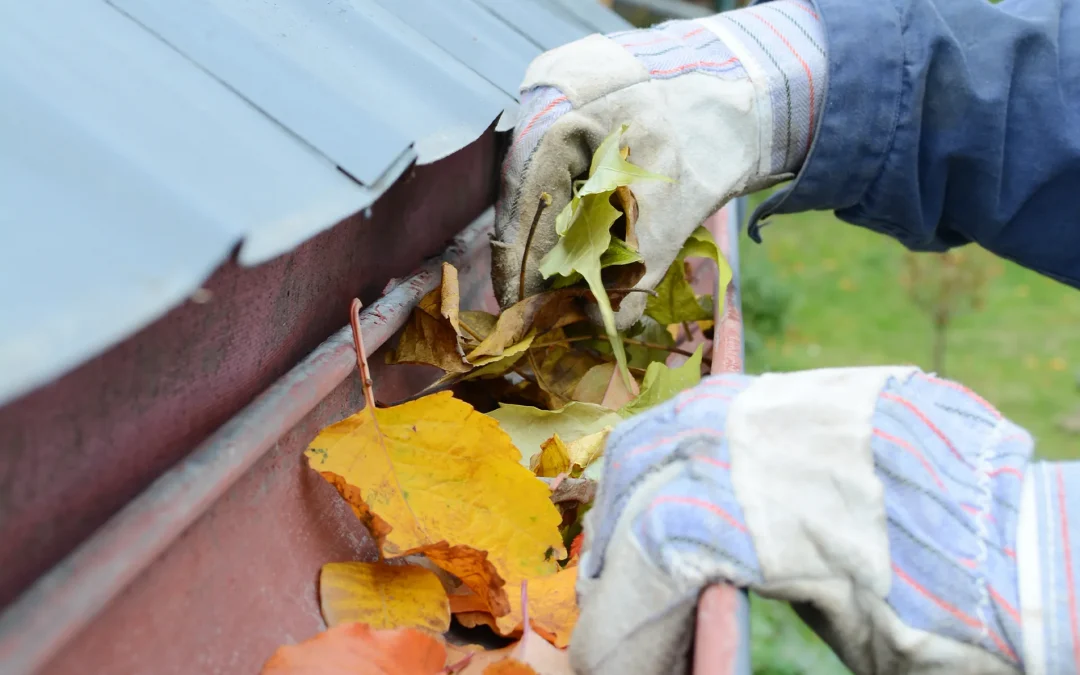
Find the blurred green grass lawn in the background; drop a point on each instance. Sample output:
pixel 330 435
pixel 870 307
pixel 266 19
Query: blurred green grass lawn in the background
pixel 850 309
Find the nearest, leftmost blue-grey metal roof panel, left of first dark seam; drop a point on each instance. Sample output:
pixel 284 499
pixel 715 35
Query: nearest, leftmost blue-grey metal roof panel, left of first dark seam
pixel 128 174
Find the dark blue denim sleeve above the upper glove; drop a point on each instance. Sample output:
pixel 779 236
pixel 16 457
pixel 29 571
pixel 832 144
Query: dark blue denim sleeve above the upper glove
pixel 951 121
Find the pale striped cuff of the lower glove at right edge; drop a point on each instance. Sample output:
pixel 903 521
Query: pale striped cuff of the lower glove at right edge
pixel 1050 569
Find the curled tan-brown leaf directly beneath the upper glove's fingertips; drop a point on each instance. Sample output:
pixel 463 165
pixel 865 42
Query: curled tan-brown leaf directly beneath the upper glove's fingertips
pixel 538 314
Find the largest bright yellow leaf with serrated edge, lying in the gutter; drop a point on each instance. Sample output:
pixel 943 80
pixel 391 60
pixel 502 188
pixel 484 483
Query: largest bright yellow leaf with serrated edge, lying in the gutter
pixel 435 470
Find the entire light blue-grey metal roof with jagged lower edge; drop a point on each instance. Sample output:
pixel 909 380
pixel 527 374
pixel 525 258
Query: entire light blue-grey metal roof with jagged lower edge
pixel 142 140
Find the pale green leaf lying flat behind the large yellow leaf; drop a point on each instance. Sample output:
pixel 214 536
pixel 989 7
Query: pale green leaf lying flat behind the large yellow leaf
pixel 529 427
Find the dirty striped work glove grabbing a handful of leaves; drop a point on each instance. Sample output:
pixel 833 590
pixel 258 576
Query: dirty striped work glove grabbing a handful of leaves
pixel 723 106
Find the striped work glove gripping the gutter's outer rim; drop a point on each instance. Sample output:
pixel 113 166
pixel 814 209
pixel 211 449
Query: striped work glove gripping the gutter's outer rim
pixel 897 511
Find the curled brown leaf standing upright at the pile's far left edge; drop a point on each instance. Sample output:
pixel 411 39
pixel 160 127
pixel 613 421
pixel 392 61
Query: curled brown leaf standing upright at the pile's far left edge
pixel 434 335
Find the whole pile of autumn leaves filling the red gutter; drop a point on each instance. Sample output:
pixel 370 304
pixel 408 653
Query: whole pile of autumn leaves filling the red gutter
pixel 478 517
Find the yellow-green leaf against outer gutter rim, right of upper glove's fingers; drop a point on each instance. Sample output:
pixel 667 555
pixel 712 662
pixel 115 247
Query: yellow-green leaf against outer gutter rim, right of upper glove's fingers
pixel 676 301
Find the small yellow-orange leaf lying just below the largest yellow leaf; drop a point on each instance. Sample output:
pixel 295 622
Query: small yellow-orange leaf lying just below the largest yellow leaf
pixel 384 597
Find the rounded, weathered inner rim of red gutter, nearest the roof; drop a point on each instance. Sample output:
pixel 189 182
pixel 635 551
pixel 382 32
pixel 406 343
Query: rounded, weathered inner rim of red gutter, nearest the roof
pixel 58 607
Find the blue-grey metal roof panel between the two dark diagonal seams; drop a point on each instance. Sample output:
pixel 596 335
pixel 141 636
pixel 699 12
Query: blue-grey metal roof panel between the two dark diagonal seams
pixel 346 76
